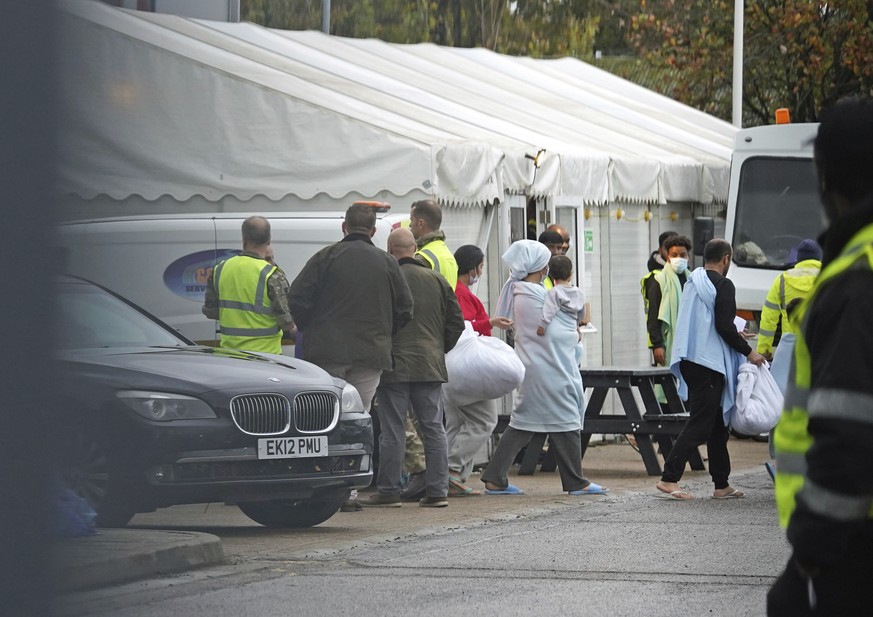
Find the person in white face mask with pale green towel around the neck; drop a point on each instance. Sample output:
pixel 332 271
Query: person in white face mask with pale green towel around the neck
pixel 664 298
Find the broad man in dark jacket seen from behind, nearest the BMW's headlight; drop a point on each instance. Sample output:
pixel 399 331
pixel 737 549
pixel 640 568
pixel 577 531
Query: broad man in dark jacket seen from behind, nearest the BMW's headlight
pixel 349 300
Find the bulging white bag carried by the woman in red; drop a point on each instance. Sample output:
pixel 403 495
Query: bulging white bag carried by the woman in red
pixel 481 368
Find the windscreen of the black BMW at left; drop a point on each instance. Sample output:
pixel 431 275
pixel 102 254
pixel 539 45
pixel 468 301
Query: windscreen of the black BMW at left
pixel 90 318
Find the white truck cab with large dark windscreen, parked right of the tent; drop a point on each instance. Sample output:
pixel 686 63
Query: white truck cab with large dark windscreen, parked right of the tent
pixel 773 205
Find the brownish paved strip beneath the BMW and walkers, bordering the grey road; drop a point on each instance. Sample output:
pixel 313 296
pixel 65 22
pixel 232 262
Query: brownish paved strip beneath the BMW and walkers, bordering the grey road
pixel 187 537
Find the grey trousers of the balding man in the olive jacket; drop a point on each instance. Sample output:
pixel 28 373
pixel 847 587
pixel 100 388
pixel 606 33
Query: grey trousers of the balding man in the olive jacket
pixel 395 400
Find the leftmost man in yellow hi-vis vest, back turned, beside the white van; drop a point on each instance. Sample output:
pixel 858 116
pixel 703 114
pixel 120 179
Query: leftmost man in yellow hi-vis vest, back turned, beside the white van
pixel 249 296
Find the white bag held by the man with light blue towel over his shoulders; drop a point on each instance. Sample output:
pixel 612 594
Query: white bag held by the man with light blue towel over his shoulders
pixel 759 401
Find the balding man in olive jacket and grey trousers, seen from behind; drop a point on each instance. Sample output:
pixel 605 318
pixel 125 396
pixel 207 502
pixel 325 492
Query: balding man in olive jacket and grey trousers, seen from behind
pixel 419 372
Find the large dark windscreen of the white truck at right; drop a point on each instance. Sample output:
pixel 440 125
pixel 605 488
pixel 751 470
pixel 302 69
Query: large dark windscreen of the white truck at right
pixel 778 206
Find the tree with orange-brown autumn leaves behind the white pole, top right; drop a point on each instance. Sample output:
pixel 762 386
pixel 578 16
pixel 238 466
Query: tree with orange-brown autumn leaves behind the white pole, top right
pixel 799 54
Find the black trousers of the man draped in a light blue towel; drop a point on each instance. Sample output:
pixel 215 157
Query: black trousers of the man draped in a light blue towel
pixel 705 425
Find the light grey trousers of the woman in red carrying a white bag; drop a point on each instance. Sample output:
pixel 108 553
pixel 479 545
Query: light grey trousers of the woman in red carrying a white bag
pixel 468 428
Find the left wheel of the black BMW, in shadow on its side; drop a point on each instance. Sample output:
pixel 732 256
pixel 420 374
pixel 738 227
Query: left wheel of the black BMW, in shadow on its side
pixel 88 472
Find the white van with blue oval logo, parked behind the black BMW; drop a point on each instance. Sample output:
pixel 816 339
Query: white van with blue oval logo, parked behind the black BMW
pixel 162 262
